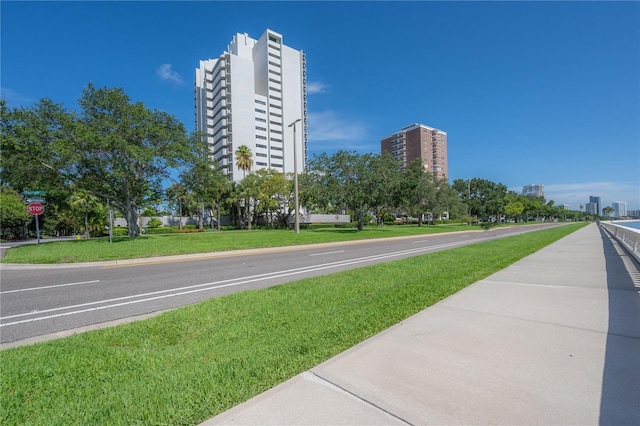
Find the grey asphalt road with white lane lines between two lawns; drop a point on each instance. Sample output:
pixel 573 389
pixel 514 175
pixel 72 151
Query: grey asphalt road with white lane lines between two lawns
pixel 42 302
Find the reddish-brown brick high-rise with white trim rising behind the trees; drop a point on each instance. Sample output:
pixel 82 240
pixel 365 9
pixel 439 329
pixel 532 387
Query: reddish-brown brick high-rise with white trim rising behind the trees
pixel 419 141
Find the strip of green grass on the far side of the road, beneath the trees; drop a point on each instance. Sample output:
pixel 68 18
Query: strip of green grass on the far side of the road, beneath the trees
pixel 100 249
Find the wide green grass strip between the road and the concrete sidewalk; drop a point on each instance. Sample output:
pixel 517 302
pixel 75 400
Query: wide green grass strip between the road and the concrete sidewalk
pixel 189 364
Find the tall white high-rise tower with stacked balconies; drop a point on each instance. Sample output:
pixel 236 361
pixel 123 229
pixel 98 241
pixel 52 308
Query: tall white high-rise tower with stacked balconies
pixel 249 96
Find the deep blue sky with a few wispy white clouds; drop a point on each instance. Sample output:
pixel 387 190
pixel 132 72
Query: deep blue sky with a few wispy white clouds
pixel 528 92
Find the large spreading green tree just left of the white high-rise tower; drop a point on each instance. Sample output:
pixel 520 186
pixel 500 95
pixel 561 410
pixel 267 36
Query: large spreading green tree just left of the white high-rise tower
pixel 123 150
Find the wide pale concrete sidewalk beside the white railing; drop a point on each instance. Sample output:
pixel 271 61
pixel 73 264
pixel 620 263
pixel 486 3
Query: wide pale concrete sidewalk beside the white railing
pixel 553 339
